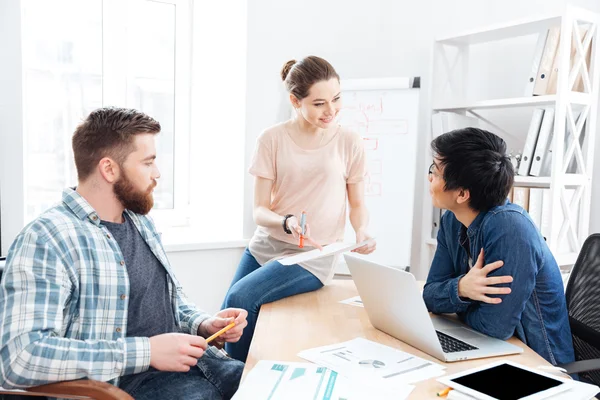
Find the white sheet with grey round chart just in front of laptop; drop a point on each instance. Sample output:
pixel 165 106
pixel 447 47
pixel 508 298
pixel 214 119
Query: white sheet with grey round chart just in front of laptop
pixel 366 361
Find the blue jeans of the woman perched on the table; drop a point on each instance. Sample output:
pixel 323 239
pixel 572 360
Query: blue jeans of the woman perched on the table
pixel 254 286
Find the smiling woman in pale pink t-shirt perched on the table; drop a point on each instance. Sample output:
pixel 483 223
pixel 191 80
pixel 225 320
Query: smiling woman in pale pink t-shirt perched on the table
pixel 309 163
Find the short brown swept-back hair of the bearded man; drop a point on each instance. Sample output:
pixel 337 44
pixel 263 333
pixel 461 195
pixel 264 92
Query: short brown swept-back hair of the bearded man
pixel 108 132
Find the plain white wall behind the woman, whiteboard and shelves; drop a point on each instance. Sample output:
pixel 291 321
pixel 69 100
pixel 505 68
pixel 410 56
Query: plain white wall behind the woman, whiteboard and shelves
pixel 379 38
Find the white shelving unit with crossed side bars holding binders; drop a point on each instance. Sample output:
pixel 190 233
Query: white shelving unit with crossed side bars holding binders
pixel 450 83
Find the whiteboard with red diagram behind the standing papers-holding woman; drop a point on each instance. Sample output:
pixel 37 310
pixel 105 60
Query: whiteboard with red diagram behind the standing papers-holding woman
pixel 385 113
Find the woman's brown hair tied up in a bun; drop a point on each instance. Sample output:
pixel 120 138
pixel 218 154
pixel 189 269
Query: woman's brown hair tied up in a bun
pixel 299 76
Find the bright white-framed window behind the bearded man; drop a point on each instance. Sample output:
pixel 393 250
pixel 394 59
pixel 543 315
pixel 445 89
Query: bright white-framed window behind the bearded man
pixel 103 53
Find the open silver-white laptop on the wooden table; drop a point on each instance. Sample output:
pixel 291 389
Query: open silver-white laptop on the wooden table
pixel 395 305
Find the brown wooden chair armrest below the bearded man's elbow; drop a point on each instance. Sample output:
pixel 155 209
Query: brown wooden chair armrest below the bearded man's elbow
pixel 77 389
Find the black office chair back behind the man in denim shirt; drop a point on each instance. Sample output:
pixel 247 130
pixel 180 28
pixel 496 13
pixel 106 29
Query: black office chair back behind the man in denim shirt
pixel 583 304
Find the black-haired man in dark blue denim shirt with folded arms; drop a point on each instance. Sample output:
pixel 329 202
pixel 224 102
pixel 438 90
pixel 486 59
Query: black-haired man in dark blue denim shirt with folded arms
pixel 492 266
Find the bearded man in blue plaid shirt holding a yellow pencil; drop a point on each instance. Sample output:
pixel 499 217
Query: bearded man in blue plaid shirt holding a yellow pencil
pixel 88 291
